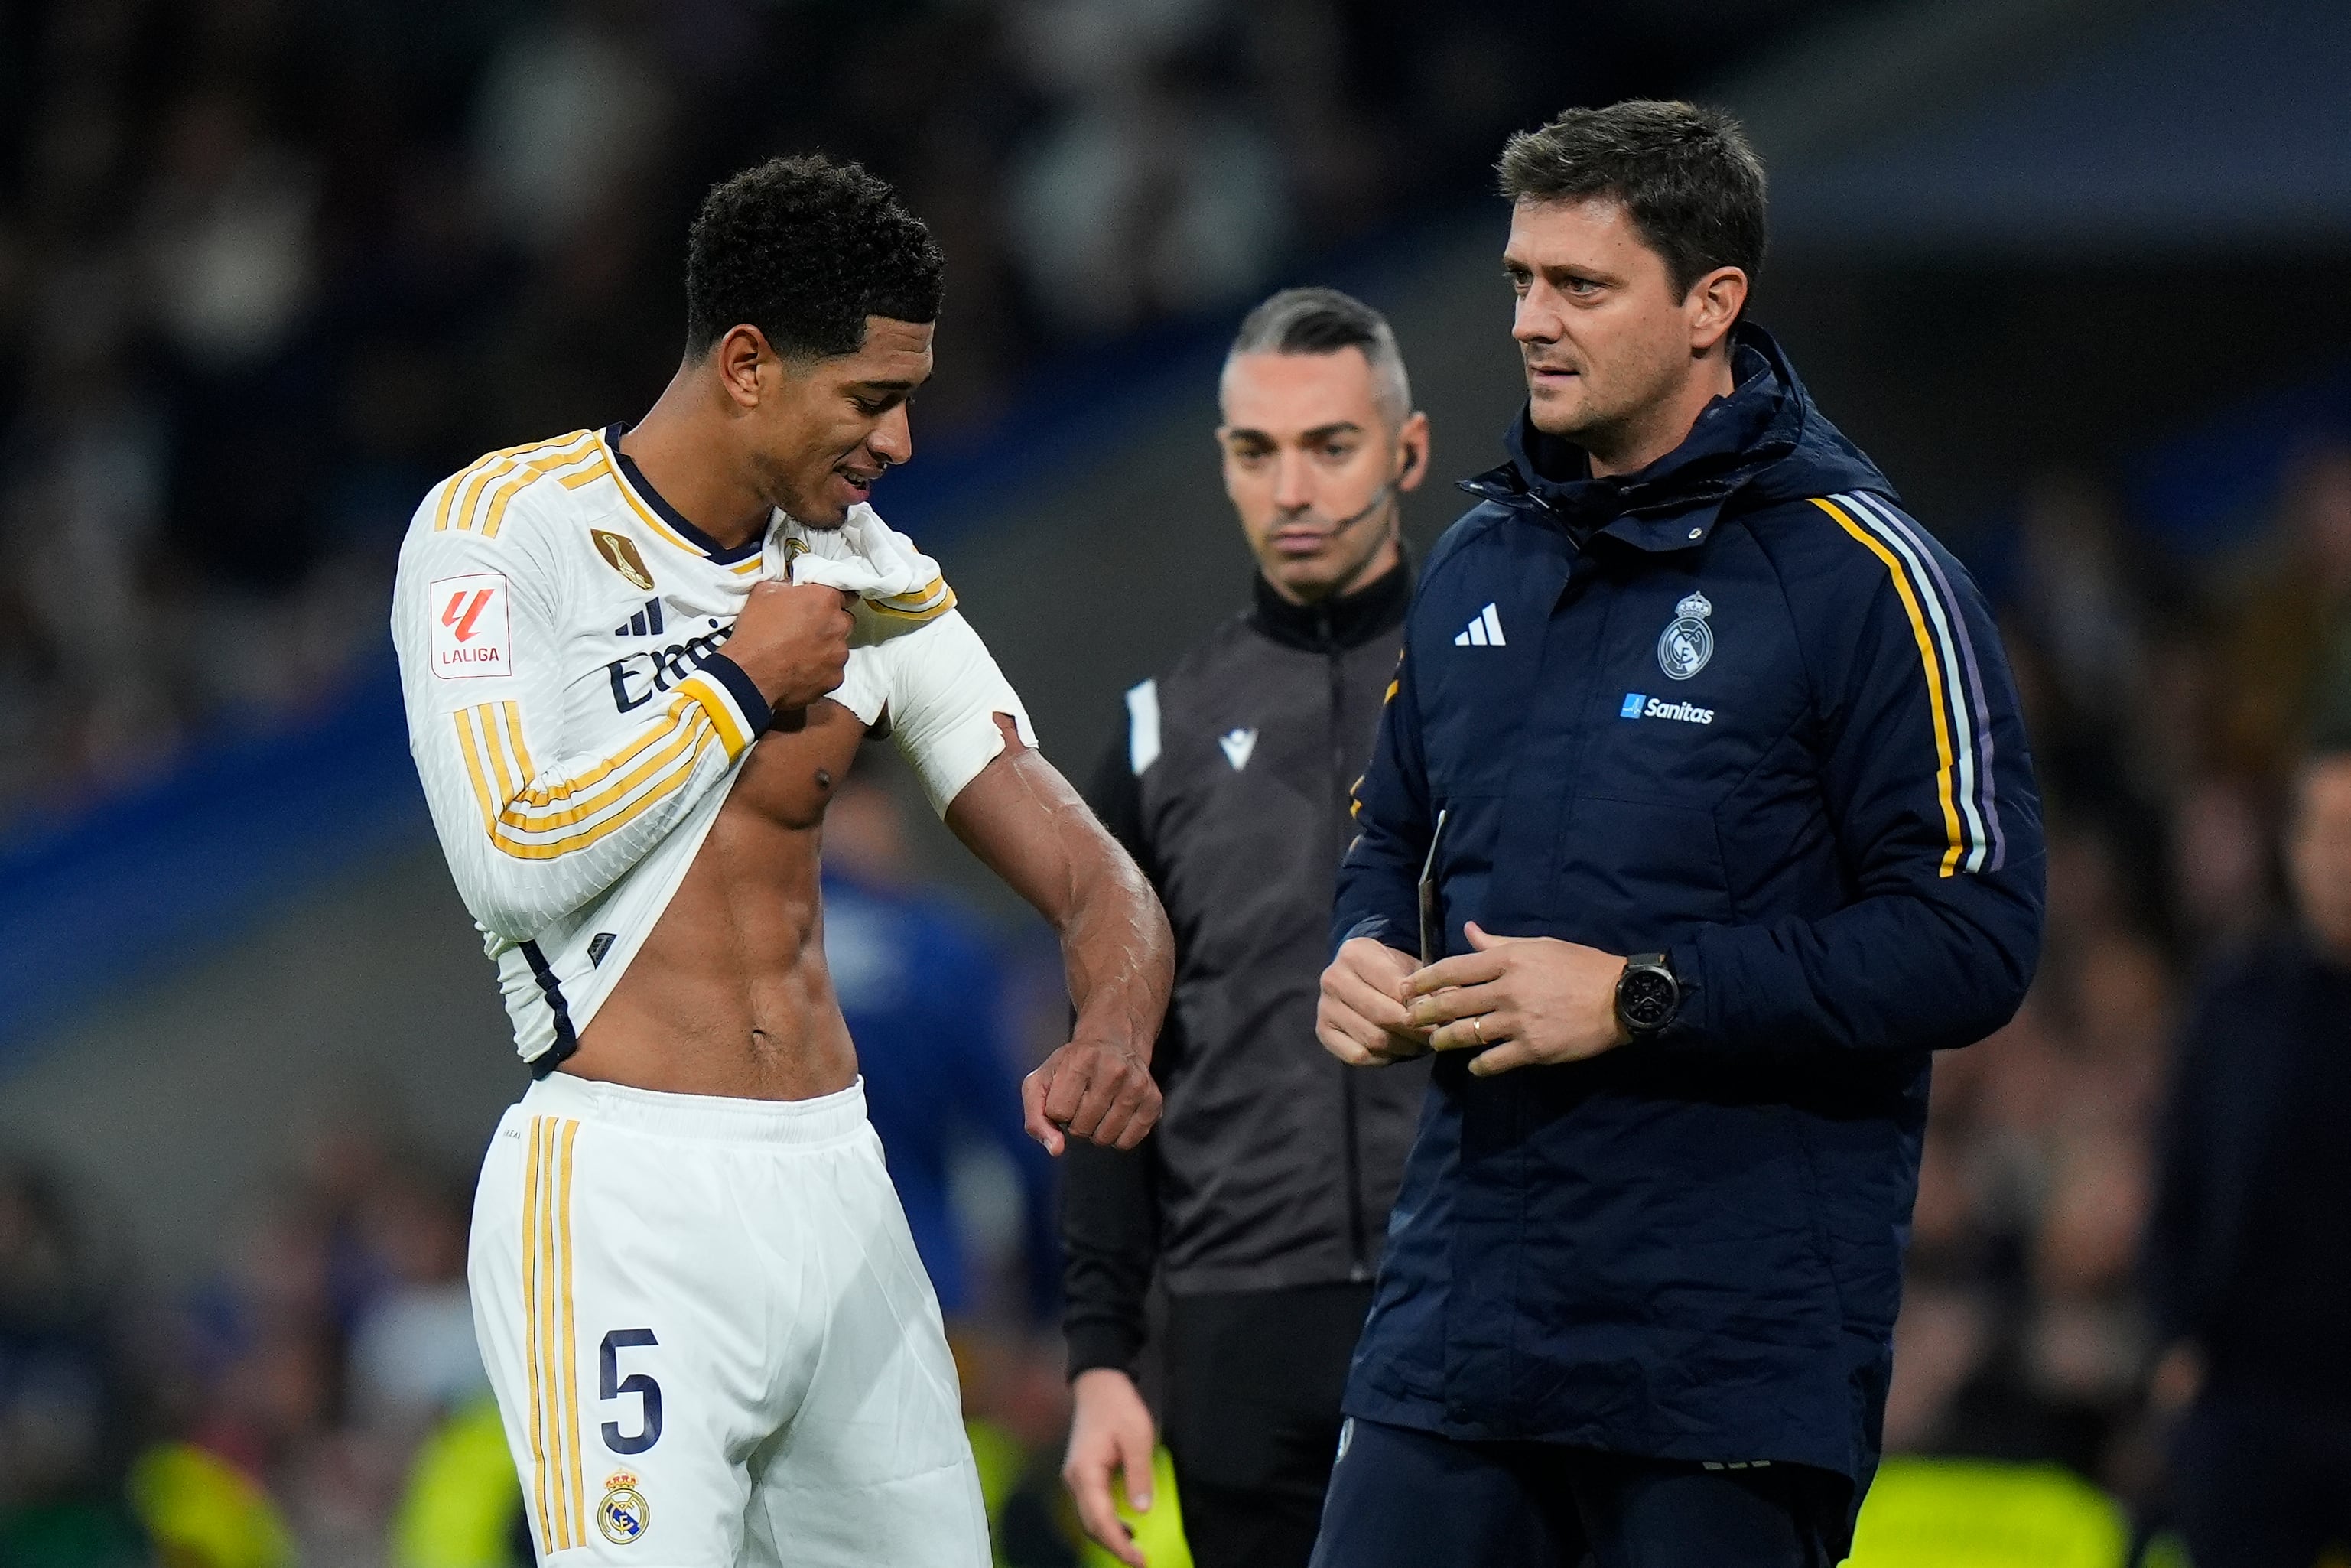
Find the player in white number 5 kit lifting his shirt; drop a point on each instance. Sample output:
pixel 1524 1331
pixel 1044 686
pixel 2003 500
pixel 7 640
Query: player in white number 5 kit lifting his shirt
pixel 638 662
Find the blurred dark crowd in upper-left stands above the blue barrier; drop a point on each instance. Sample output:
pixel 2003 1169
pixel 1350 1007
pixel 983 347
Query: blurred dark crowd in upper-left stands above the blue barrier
pixel 269 269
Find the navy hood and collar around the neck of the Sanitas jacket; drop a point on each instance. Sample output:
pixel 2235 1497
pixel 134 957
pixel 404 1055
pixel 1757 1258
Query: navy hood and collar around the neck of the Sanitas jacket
pixel 1760 443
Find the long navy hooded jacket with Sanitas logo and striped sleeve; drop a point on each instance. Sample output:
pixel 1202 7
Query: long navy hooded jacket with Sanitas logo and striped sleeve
pixel 1743 711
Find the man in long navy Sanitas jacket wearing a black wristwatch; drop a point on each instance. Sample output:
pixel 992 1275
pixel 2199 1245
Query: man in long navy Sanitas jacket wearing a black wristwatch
pixel 1715 768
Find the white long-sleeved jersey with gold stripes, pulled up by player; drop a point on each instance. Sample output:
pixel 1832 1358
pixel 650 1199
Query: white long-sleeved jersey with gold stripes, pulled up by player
pixel 577 728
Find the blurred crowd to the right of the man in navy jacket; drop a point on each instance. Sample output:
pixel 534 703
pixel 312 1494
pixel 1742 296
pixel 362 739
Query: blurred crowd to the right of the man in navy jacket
pixel 2166 706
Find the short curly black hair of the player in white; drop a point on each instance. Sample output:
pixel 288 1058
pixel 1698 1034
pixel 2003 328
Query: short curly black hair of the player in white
pixel 805 250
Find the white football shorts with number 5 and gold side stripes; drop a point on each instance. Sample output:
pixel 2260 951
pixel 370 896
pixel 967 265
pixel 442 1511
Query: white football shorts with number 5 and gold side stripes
pixel 714 1341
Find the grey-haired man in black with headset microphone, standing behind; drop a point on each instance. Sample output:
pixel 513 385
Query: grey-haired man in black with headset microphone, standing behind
pixel 1264 1195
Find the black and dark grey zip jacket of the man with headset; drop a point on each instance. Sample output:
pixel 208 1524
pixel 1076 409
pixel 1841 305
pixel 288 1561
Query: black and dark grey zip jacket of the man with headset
pixel 1273 1165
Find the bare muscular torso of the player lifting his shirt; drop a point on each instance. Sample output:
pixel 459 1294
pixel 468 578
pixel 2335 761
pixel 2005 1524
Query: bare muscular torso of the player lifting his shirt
pixel 730 993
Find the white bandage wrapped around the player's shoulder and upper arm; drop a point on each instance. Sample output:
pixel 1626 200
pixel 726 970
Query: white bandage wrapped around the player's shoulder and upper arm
pixel 944 695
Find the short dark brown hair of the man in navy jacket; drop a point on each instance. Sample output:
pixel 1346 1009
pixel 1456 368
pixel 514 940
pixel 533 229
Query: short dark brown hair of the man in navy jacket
pixel 1684 173
